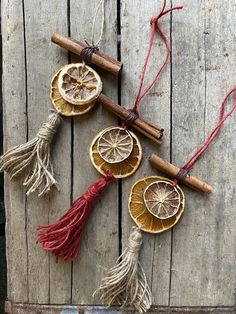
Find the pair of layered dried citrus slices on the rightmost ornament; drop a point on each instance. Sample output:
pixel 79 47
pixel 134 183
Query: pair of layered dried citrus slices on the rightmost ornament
pixel 155 204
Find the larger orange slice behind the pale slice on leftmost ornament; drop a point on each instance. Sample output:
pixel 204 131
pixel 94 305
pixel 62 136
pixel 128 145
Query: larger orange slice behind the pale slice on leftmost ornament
pixel 61 105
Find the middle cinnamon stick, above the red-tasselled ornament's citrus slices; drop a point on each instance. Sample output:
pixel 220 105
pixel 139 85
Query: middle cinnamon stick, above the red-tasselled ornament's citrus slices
pixel 151 131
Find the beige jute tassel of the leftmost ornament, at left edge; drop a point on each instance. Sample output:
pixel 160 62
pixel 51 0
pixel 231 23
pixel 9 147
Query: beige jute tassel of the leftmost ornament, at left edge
pixel 31 161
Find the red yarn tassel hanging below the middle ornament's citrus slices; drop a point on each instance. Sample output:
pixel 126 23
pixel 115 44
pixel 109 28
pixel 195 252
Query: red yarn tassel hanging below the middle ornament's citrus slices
pixel 62 237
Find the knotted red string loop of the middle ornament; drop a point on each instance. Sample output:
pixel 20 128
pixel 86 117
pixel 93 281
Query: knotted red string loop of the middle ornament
pixel 154 27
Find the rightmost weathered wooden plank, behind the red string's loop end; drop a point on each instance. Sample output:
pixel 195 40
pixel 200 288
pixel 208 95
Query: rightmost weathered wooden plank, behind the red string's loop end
pixel 203 268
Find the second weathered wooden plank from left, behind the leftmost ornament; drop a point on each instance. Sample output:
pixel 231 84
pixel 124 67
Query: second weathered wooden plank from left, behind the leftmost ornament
pixel 48 282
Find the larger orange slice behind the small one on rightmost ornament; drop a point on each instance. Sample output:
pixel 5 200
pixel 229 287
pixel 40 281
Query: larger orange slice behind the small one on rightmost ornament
pixel 142 216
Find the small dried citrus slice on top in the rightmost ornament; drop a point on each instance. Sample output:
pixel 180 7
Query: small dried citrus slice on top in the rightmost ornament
pixel 162 199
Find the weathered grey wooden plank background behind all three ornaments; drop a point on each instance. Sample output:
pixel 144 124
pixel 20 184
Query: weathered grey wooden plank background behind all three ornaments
pixel 195 263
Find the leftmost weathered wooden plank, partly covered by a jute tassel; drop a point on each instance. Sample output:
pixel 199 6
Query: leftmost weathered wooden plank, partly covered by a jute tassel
pixel 14 106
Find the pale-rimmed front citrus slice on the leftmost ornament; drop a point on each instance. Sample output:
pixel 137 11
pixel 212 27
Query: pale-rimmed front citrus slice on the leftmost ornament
pixel 79 84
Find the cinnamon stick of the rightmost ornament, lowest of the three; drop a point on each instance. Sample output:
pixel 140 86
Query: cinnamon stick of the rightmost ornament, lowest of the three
pixel 171 170
